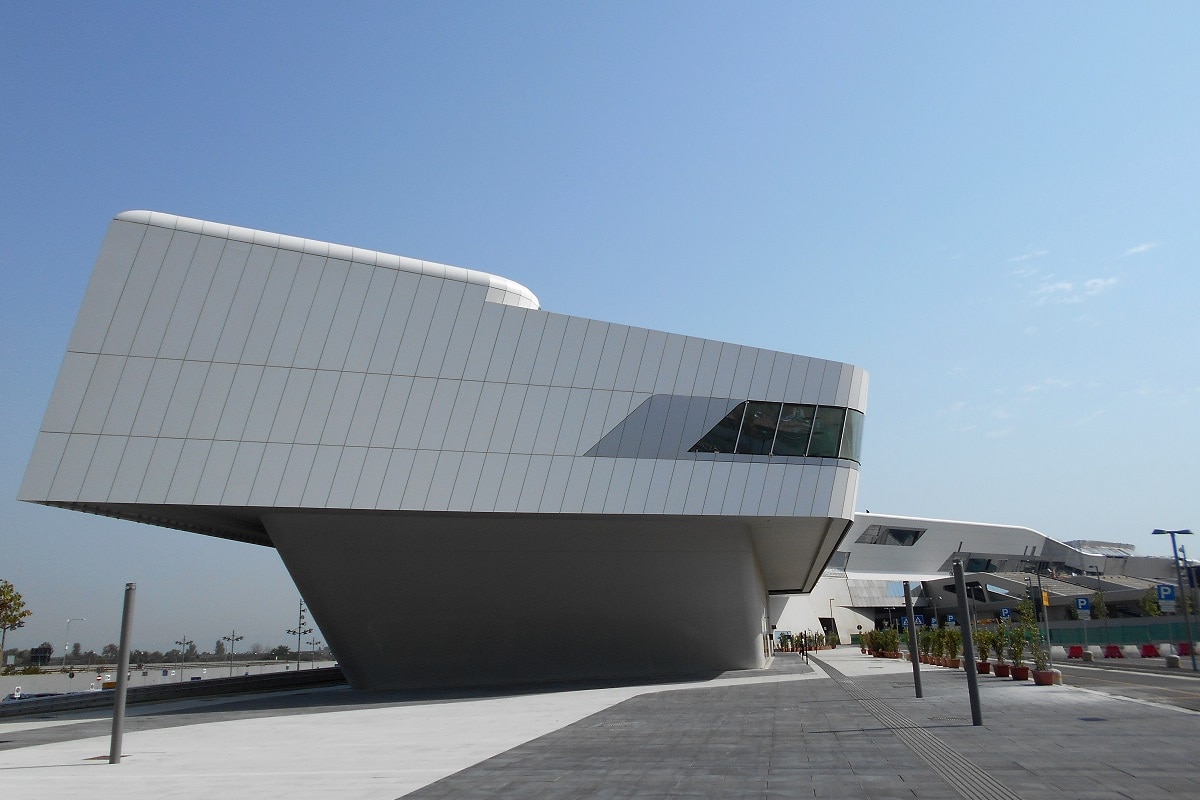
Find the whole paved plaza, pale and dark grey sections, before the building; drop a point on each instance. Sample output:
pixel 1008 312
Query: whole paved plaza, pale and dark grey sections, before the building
pixel 847 726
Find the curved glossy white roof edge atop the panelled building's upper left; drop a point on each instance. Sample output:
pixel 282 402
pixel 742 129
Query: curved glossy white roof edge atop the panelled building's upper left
pixel 501 291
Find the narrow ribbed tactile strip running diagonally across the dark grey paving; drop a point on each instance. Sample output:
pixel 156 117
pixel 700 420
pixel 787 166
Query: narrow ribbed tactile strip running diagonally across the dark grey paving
pixel 959 773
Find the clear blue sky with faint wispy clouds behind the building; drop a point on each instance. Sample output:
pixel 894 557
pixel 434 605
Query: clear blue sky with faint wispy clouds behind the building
pixel 993 208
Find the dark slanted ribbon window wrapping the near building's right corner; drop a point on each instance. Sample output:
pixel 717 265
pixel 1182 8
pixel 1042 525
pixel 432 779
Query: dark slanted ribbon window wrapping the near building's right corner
pixel 761 429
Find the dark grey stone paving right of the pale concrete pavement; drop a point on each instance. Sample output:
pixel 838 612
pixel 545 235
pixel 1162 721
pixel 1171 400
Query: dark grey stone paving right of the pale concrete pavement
pixel 868 737
